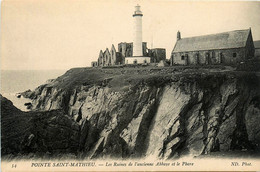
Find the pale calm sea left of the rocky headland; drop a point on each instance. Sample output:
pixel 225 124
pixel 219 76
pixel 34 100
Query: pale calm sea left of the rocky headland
pixel 17 81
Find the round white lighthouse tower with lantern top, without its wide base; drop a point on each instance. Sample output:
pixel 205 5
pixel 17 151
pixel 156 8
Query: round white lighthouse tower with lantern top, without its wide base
pixel 137 42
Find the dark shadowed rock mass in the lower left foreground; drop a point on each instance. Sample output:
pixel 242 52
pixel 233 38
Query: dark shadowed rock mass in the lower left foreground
pixel 38 133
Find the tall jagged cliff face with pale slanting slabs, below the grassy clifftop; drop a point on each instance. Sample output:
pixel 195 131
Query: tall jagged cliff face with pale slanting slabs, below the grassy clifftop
pixel 163 116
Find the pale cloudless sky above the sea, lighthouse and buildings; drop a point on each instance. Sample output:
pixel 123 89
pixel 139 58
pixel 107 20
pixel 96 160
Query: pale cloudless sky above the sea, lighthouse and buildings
pixel 62 34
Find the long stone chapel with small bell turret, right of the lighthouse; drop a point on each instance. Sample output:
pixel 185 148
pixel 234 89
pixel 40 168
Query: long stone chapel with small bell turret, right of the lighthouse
pixel 222 48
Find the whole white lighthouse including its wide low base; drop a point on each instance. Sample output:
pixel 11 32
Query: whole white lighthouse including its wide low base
pixel 137 57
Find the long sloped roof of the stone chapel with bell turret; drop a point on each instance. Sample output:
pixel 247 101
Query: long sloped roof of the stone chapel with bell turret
pixel 225 40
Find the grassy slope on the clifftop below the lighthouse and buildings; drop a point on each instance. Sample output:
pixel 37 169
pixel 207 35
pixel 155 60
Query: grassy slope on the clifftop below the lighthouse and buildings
pixel 119 78
